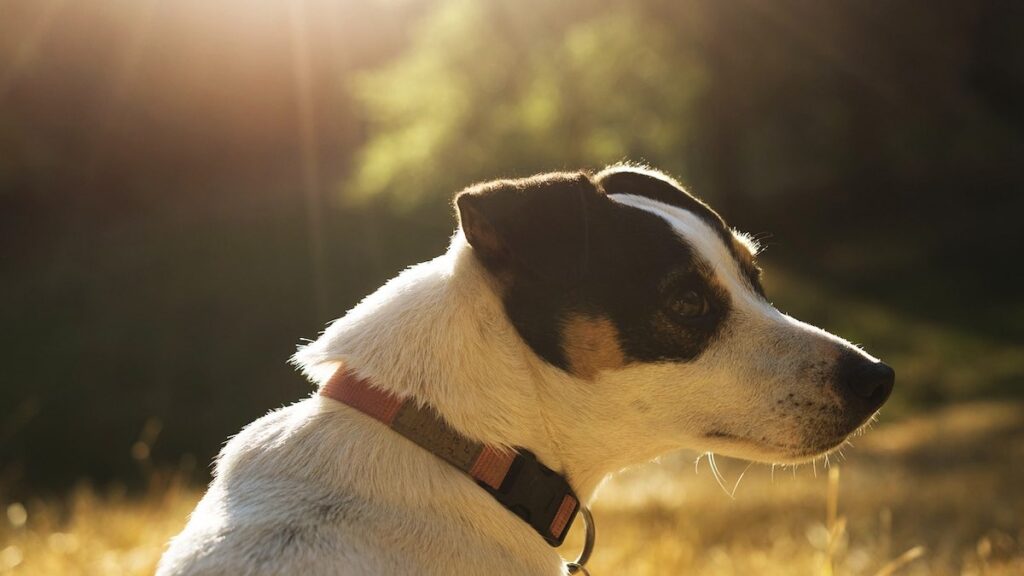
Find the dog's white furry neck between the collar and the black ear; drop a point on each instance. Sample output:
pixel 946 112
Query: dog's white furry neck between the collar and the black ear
pixel 439 333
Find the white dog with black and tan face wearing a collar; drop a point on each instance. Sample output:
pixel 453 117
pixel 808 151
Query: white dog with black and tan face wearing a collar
pixel 578 324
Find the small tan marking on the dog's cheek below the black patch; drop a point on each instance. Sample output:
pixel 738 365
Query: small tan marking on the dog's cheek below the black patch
pixel 591 345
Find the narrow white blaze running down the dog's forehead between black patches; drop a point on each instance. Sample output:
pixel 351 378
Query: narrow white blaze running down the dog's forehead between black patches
pixel 702 237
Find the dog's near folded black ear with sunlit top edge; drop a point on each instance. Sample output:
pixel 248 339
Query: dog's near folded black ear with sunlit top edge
pixel 537 226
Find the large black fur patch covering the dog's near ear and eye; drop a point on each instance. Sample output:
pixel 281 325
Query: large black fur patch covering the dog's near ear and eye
pixel 561 249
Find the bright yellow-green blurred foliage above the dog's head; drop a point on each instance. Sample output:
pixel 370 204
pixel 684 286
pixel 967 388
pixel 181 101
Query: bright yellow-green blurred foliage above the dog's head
pixel 486 91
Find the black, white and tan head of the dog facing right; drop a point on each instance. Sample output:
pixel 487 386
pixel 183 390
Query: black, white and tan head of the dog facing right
pixel 627 281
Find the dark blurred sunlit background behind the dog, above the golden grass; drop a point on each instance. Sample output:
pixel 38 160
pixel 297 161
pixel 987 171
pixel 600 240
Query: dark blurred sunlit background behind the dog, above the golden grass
pixel 190 189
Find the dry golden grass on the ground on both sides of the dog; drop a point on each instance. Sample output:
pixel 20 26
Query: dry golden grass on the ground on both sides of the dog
pixel 942 496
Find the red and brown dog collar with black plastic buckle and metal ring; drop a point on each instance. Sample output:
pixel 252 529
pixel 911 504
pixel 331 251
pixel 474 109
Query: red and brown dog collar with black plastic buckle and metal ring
pixel 532 491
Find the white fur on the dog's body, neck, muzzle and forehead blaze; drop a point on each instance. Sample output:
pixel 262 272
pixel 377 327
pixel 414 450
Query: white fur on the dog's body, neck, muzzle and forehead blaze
pixel 319 488
